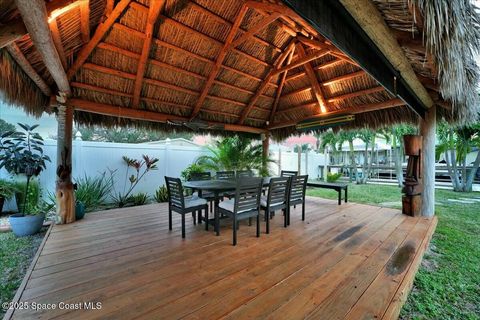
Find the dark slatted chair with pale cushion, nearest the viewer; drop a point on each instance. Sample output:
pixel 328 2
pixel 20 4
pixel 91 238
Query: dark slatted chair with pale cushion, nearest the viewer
pixel 245 205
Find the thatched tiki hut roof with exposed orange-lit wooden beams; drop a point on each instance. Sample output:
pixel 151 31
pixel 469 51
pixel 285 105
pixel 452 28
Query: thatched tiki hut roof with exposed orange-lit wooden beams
pixel 241 66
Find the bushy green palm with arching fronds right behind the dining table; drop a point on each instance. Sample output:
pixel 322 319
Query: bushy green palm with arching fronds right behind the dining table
pixel 235 153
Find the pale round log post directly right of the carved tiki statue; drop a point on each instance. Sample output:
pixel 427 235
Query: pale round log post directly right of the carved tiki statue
pixel 427 130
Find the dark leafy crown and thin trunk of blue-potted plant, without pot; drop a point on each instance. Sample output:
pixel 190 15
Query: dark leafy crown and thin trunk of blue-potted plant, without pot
pixel 22 154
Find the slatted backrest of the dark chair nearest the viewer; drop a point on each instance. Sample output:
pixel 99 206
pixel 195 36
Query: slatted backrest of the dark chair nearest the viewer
pixel 247 194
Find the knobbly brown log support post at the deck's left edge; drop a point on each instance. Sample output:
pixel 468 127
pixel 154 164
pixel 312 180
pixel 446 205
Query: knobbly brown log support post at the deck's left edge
pixel 64 189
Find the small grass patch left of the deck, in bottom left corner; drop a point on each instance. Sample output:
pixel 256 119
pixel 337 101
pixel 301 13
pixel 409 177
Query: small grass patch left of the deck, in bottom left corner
pixel 15 257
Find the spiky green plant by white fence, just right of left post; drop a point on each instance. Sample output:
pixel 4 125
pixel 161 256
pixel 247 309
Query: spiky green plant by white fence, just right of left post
pixel 93 191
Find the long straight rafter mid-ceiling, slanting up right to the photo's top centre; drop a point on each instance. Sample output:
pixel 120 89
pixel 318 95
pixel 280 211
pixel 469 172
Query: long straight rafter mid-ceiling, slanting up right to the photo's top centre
pixel 216 67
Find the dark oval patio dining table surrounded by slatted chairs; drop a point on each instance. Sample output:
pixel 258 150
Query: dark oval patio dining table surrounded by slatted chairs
pixel 217 187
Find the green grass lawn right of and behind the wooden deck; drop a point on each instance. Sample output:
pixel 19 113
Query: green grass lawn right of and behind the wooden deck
pixel 447 285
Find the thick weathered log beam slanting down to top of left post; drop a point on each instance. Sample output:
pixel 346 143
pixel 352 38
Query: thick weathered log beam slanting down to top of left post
pixel 35 17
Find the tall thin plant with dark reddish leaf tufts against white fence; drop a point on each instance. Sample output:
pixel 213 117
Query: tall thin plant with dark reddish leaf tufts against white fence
pixel 141 167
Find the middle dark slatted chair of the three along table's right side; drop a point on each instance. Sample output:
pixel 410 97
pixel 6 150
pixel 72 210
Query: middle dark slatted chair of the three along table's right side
pixel 276 199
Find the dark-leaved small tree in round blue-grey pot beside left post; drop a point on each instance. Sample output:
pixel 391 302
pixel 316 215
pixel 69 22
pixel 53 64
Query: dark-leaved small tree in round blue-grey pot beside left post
pixel 22 154
